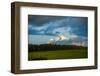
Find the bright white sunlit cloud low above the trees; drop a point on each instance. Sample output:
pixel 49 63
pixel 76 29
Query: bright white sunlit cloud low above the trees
pixel 69 40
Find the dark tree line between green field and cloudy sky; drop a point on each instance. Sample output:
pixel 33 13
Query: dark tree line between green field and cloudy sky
pixel 52 47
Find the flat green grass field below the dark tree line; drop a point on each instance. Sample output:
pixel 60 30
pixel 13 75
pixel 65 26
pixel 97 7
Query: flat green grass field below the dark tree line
pixel 57 54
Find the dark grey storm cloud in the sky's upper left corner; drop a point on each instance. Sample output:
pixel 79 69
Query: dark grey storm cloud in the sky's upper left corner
pixel 39 20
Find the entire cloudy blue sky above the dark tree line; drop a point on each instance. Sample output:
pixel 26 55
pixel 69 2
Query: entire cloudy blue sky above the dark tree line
pixel 65 30
